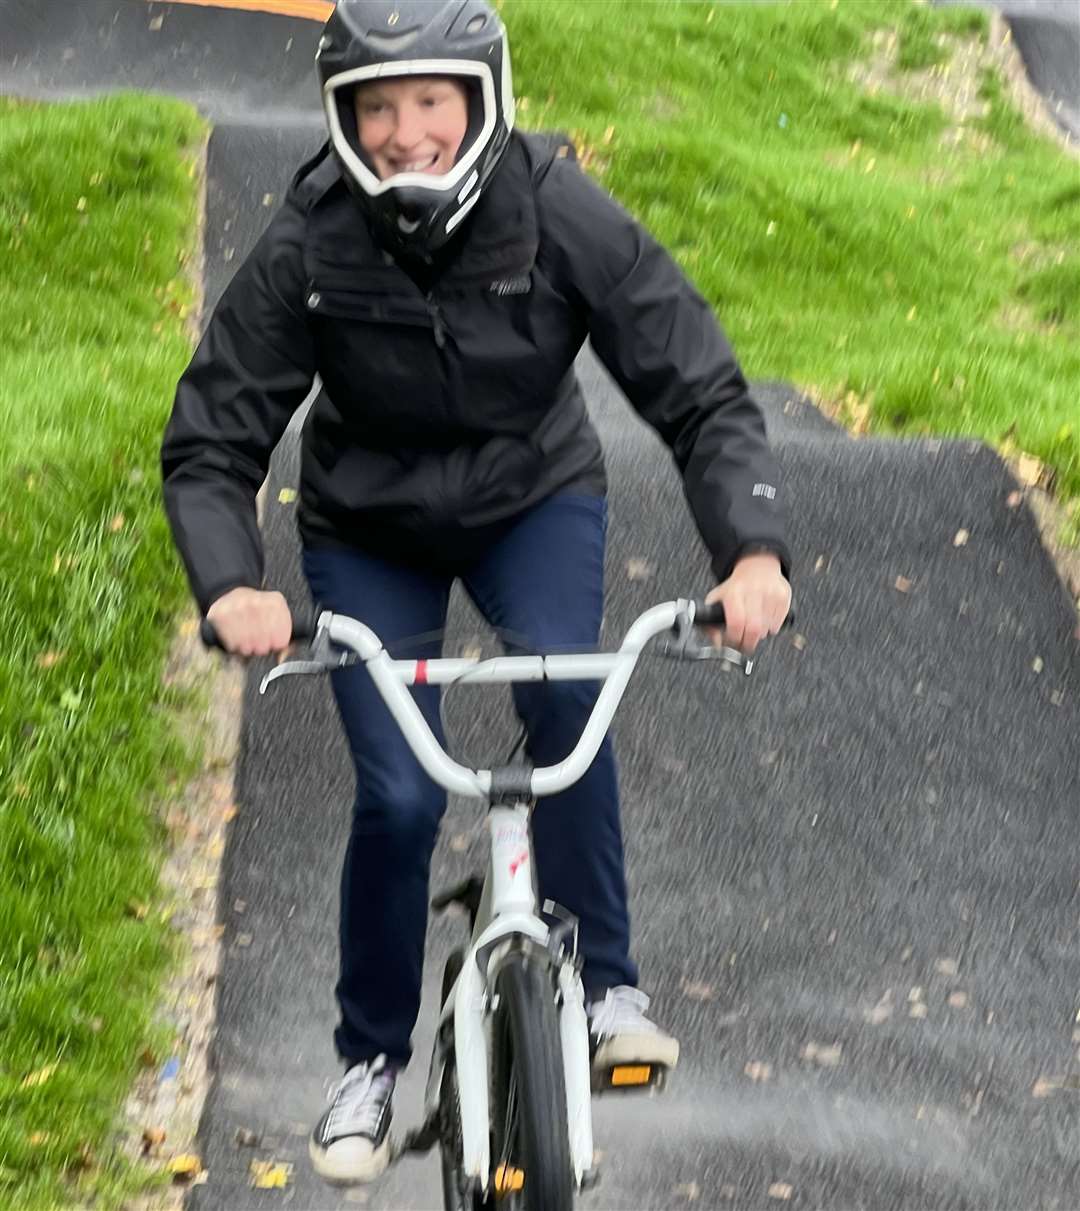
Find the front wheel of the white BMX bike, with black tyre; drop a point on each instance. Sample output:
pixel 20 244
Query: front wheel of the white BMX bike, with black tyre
pixel 531 1147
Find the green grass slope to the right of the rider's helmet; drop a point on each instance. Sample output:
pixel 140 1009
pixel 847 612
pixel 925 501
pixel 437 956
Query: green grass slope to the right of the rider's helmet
pixel 934 288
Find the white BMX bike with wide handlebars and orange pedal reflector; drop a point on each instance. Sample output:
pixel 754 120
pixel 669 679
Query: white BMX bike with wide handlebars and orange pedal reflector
pixel 509 1091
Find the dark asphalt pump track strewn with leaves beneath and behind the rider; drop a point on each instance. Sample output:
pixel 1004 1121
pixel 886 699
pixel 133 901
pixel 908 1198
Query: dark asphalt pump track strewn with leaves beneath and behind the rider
pixel 855 871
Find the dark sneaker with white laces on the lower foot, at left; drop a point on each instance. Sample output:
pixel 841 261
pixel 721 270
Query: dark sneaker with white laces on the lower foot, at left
pixel 351 1144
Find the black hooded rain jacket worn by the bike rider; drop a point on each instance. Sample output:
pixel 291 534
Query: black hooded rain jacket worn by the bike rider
pixel 450 412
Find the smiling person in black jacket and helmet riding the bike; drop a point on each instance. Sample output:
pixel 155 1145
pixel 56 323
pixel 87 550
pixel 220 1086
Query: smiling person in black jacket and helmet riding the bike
pixel 440 272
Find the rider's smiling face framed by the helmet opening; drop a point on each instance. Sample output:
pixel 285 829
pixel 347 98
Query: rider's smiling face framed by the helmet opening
pixel 412 124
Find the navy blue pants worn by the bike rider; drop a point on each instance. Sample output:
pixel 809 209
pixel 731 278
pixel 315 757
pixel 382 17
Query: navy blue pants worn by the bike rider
pixel 542 579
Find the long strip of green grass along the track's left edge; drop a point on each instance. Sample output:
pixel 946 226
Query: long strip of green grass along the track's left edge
pixel 97 219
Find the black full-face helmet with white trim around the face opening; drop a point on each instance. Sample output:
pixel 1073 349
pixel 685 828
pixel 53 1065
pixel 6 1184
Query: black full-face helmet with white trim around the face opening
pixel 365 41
